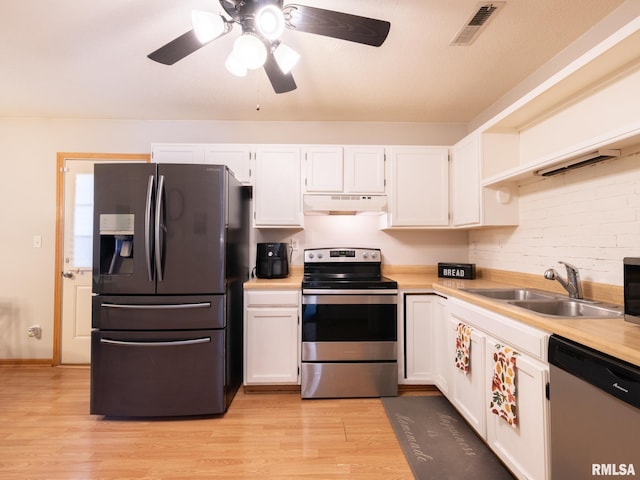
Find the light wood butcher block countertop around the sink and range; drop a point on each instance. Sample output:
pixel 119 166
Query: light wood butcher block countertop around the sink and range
pixel 612 336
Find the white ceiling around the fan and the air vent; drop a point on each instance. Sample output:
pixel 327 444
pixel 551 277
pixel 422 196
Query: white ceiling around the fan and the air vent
pixel 88 59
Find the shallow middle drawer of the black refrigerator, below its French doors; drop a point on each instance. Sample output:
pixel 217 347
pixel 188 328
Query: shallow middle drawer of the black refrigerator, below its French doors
pixel 112 312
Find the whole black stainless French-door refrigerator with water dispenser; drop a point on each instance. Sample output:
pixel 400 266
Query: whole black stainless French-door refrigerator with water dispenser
pixel 170 256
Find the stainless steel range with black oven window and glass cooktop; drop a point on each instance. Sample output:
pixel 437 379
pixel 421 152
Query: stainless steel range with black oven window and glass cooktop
pixel 349 325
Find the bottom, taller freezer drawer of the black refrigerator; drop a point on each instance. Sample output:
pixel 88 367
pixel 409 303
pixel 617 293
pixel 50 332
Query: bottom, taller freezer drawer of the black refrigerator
pixel 152 374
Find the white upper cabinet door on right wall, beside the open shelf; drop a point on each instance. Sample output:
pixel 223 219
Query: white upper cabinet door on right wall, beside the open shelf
pixel 465 181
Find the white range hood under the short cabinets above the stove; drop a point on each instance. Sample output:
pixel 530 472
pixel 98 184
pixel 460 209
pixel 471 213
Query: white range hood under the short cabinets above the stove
pixel 344 204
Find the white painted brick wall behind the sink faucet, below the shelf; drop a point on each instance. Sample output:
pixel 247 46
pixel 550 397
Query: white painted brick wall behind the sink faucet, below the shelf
pixel 588 217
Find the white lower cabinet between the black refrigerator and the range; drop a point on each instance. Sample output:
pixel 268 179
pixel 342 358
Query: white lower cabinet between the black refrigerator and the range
pixel 271 337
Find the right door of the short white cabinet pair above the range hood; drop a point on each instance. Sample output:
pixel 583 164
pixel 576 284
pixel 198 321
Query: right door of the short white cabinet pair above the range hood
pixel 364 170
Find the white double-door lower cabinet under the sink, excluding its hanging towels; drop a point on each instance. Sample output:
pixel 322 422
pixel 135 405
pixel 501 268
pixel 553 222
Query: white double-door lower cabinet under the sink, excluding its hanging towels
pixel 524 448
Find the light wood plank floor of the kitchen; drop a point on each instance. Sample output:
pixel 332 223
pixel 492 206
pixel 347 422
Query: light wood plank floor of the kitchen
pixel 47 433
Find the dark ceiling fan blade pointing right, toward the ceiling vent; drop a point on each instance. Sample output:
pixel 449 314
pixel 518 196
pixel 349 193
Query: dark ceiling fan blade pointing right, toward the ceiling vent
pixel 344 26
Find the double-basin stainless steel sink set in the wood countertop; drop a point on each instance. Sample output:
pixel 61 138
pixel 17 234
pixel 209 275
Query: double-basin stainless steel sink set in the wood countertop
pixel 549 304
